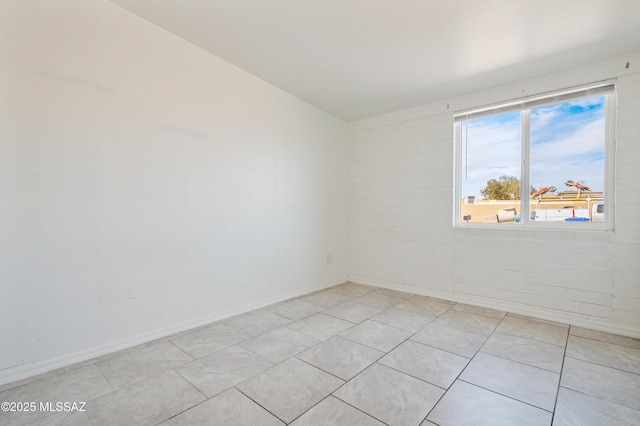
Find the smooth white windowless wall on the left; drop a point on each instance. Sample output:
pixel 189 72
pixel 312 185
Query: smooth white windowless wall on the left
pixel 147 186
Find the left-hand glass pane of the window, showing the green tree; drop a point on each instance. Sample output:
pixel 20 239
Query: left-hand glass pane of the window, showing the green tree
pixel 491 168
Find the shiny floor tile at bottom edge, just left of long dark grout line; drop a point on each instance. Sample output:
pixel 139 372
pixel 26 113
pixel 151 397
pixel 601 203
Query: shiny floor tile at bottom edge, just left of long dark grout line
pixel 466 404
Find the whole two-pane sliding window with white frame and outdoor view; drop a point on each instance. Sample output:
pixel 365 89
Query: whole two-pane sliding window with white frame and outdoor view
pixel 555 152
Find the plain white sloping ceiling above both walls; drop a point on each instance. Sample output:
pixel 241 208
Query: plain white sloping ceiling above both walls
pixel 359 58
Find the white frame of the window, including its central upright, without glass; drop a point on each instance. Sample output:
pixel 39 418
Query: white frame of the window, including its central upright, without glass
pixel 524 105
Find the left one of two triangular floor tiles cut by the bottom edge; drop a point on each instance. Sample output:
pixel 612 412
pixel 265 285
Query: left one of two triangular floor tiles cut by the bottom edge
pixel 230 408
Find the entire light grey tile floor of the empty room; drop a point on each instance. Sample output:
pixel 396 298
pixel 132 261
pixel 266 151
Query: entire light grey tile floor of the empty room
pixel 352 355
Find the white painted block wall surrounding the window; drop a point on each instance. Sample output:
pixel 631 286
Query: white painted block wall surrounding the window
pixel 401 214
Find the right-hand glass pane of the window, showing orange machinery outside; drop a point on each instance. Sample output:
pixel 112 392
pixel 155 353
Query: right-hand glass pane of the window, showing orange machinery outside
pixel 567 165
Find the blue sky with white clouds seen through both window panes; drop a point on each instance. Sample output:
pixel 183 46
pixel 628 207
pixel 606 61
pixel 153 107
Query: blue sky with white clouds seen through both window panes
pixel 567 143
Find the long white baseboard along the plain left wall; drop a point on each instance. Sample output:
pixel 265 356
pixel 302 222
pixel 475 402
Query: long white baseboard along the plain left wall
pixel 24 371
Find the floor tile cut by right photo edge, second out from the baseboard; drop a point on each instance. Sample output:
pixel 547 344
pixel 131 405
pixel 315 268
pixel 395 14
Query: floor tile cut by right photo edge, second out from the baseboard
pixel 610 355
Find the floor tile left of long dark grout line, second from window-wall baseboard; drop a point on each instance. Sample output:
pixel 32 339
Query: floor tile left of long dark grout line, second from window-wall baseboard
pixel 527 351
